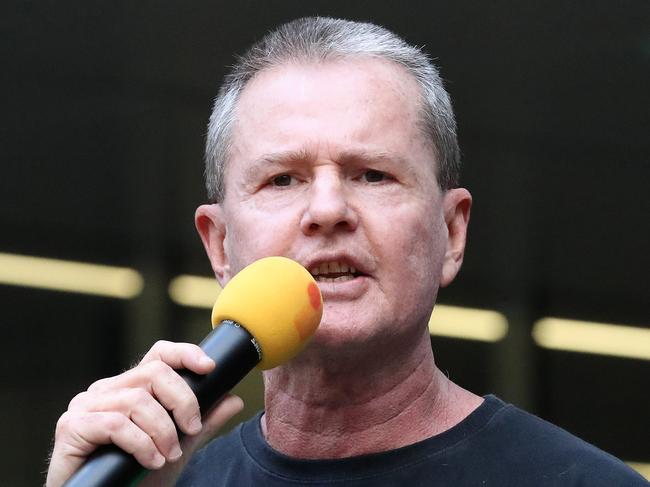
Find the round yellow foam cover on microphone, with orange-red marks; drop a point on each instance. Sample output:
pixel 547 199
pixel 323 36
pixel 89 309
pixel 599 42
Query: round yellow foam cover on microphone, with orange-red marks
pixel 278 302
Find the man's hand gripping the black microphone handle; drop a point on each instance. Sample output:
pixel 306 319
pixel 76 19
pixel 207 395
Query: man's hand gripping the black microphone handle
pixel 132 410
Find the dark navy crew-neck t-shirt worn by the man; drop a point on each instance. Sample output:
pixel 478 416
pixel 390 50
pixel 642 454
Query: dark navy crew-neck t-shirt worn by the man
pixel 496 445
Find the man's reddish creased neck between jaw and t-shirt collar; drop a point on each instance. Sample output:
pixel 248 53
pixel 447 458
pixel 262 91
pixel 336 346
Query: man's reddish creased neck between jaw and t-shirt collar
pixel 321 407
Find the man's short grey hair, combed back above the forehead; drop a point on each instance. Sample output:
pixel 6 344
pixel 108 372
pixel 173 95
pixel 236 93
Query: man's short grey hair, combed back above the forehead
pixel 321 39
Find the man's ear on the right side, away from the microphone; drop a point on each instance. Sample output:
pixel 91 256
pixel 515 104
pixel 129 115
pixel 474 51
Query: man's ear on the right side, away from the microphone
pixel 457 203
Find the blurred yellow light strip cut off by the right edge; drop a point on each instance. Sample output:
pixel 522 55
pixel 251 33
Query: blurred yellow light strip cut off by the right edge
pixel 597 338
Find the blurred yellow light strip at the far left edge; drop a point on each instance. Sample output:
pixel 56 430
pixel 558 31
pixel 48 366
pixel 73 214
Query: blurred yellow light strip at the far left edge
pixel 70 276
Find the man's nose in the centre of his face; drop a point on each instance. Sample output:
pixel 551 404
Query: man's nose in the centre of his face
pixel 328 208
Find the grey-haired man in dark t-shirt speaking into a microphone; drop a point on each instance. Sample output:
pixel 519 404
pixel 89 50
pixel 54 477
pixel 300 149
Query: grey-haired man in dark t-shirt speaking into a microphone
pixel 333 143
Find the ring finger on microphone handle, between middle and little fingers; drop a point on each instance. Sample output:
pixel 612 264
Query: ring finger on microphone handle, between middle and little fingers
pixel 138 405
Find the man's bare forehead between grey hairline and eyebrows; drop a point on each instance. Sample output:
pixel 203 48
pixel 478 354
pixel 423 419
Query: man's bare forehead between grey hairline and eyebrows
pixel 338 104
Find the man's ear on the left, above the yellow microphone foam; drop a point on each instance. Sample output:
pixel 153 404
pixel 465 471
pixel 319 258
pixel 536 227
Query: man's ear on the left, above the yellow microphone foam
pixel 211 225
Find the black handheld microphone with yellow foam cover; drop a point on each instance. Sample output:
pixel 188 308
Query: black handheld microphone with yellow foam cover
pixel 263 317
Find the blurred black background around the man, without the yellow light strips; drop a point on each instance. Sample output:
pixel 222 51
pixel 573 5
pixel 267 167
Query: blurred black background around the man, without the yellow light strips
pixel 104 113
